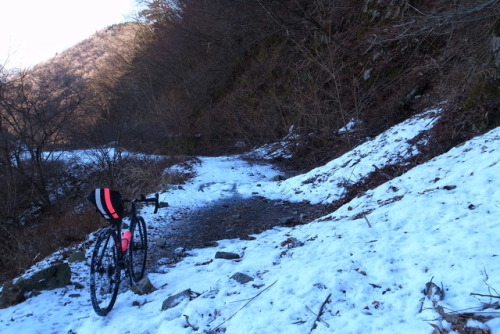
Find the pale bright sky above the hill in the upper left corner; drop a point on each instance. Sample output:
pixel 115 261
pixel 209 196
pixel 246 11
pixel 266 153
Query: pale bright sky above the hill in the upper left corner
pixel 32 31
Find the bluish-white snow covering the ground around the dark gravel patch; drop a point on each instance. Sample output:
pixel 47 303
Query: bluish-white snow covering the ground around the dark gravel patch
pixel 369 260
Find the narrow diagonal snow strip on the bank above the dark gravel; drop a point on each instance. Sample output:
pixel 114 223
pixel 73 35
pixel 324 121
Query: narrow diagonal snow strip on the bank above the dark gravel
pixel 327 184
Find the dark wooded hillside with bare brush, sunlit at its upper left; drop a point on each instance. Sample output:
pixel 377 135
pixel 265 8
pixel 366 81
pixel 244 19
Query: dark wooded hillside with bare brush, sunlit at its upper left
pixel 211 78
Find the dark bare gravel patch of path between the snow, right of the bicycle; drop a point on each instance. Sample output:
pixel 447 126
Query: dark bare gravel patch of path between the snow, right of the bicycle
pixel 235 217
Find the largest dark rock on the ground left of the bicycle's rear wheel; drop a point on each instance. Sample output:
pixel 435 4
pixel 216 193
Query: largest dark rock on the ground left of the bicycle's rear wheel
pixel 56 276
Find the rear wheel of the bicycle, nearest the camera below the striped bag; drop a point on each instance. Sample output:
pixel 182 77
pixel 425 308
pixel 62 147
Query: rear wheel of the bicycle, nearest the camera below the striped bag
pixel 105 272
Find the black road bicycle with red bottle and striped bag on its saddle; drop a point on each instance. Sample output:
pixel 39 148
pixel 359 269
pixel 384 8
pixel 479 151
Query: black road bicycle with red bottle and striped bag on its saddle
pixel 116 250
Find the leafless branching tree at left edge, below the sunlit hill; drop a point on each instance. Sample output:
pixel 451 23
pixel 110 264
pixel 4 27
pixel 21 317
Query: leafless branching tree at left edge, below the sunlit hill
pixel 35 114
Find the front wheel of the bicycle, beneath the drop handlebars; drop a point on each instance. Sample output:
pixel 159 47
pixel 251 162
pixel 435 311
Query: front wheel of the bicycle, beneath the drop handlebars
pixel 138 250
